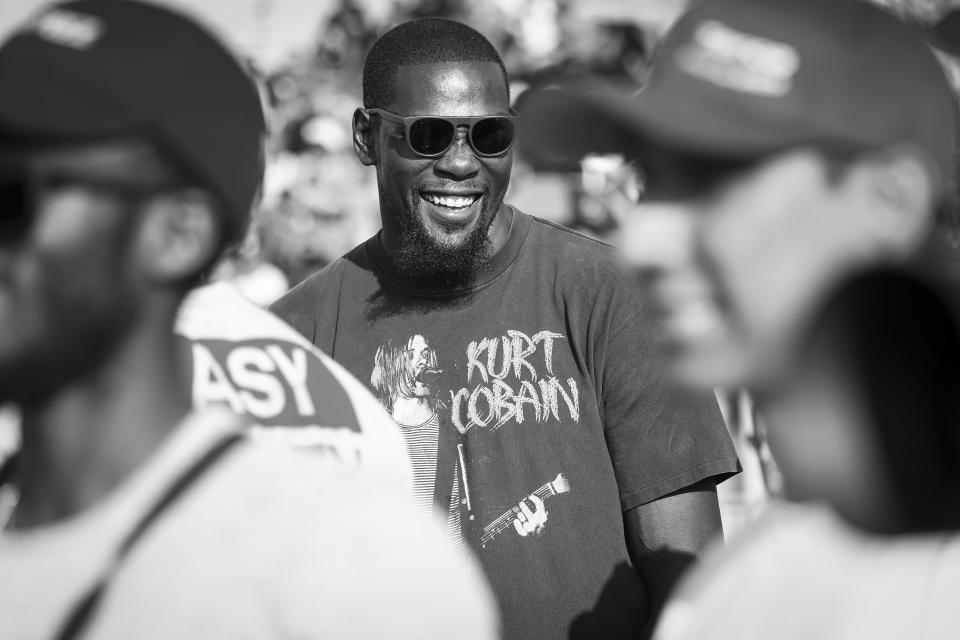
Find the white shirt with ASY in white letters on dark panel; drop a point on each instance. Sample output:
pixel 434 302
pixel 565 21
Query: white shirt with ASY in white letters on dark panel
pixel 246 358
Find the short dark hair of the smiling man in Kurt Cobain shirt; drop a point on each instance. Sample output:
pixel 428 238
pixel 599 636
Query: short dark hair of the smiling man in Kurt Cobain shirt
pixel 423 41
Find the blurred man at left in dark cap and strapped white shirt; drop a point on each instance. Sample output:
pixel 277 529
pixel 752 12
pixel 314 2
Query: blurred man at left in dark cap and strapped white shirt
pixel 127 164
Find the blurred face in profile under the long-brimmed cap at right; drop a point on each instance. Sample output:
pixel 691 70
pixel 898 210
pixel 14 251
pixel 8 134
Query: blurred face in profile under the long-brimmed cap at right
pixel 732 257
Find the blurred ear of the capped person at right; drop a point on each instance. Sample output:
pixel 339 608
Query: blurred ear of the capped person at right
pixel 900 187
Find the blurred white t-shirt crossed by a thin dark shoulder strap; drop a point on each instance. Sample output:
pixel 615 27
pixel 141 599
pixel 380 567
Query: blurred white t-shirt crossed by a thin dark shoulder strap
pixel 266 544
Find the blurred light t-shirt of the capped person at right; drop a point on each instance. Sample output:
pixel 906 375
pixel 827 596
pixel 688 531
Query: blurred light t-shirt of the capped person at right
pixel 801 573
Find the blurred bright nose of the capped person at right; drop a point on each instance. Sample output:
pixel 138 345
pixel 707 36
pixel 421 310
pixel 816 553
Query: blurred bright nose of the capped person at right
pixel 659 236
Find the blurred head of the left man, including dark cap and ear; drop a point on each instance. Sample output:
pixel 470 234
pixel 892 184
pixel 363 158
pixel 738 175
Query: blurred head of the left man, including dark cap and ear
pixel 112 202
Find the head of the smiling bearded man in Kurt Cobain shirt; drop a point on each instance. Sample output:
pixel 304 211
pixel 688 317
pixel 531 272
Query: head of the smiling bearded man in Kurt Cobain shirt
pixel 437 211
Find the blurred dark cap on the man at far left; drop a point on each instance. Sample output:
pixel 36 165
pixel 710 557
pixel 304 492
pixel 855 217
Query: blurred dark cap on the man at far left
pixel 95 69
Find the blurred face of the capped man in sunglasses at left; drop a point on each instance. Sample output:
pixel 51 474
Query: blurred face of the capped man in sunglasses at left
pixel 66 298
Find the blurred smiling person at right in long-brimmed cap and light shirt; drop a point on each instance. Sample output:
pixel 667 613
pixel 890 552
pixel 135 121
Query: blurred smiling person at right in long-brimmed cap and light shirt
pixel 779 158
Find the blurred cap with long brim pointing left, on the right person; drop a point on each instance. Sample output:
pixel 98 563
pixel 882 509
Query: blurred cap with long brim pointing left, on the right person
pixel 743 78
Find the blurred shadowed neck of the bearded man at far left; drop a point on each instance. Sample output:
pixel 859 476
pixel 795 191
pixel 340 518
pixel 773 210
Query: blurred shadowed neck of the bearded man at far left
pixel 84 441
